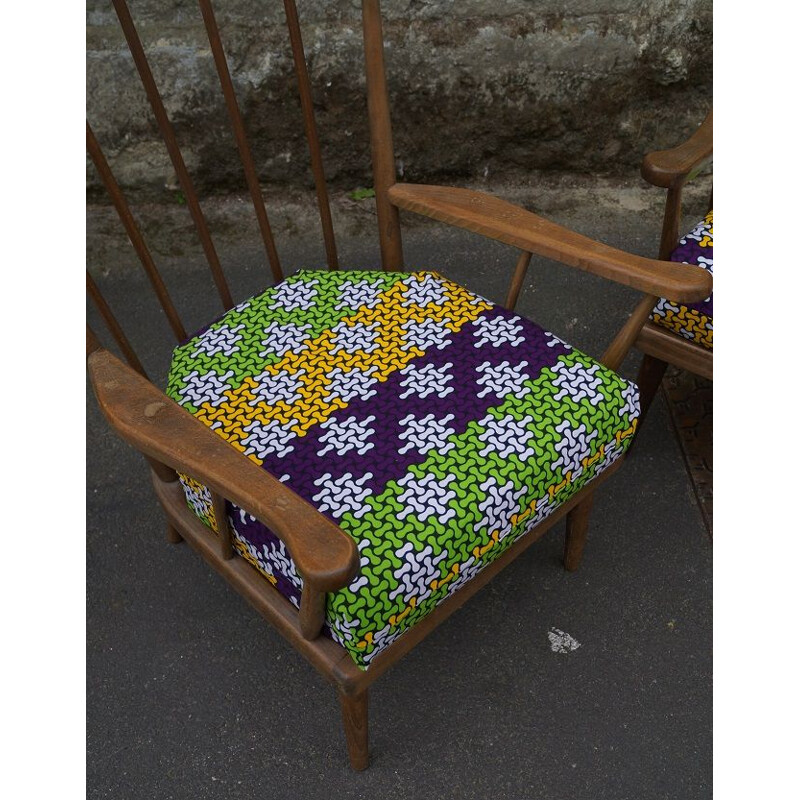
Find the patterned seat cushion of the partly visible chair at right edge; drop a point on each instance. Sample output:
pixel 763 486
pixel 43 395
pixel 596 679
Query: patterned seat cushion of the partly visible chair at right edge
pixel 695 320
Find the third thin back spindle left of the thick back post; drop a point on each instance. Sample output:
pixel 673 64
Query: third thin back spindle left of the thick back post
pixel 168 134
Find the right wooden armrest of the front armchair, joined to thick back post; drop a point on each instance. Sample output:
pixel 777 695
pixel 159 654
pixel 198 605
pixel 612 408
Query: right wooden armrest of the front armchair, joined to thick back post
pixel 482 213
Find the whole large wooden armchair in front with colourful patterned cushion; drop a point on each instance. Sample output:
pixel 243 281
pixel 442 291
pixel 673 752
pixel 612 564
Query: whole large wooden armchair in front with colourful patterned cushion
pixel 357 453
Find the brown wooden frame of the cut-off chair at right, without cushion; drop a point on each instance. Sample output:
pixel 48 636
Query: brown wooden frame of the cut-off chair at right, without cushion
pixel 671 169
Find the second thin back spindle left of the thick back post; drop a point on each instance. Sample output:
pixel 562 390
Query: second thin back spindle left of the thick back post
pixel 241 137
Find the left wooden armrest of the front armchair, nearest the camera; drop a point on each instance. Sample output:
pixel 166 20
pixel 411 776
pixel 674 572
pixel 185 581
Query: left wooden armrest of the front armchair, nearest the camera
pixel 143 416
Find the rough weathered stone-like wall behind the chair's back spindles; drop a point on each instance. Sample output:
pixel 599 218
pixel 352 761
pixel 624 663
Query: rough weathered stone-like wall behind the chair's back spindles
pixel 477 88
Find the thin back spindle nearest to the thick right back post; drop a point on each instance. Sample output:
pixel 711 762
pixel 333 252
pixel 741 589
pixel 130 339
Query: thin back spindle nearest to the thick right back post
pixel 304 87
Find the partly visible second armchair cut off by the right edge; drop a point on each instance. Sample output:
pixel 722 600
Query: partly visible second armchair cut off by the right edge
pixel 679 333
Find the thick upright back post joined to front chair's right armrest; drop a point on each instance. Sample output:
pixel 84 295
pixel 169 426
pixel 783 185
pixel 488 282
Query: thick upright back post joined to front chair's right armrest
pixel 380 128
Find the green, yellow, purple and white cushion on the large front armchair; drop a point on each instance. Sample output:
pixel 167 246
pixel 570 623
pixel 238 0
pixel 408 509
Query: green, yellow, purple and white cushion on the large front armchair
pixel 434 427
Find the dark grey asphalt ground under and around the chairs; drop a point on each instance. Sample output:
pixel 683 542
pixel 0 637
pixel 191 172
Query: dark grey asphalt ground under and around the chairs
pixel 191 694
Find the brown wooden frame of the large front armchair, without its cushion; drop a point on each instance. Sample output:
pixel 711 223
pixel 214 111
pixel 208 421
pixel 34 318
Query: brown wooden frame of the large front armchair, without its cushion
pixel 174 441
